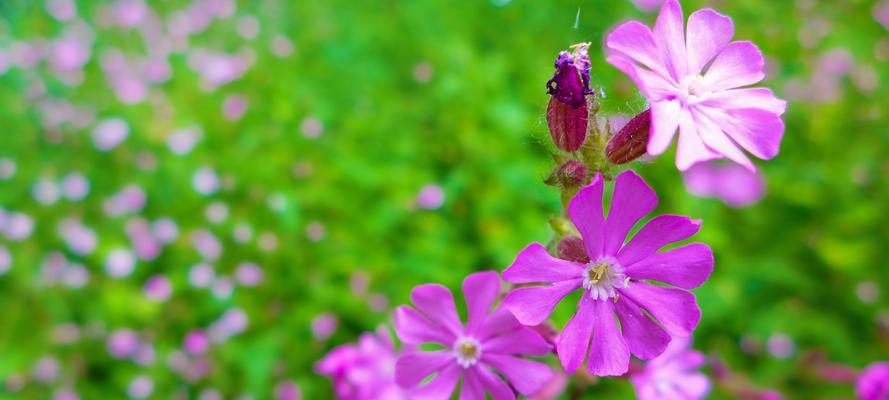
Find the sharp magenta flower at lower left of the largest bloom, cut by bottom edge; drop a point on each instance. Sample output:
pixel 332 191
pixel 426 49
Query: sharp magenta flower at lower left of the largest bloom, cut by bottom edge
pixel 477 351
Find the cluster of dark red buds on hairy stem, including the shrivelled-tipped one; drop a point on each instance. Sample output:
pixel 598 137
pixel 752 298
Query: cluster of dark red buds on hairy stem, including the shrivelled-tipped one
pixel 573 122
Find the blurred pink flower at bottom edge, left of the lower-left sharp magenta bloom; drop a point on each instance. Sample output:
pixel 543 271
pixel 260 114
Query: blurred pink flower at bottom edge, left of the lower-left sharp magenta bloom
pixel 363 370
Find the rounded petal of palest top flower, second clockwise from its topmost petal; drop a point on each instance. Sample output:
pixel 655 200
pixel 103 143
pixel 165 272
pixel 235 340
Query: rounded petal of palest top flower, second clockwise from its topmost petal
pixel 739 64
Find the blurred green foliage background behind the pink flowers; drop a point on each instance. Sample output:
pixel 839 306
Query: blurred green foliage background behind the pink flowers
pixel 351 108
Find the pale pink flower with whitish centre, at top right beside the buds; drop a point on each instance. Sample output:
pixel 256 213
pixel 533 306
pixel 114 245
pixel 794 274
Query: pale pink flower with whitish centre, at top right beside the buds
pixel 697 83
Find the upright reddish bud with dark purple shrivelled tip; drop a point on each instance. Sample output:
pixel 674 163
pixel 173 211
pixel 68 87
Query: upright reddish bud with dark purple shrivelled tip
pixel 566 114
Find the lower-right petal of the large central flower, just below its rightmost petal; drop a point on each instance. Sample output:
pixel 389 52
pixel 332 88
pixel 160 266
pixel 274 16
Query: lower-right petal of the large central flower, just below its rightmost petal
pixel 675 309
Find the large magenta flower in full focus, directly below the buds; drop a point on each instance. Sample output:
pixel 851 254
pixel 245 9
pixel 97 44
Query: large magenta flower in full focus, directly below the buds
pixel 612 277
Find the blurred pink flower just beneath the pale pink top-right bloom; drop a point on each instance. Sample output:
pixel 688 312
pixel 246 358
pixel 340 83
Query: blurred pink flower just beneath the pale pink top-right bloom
pixel 732 183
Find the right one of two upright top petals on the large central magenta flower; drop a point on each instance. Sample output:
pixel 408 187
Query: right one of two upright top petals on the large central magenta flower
pixel 632 200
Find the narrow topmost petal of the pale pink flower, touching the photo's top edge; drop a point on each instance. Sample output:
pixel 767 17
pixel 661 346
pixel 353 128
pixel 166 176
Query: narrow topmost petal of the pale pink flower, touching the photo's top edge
pixel 670 37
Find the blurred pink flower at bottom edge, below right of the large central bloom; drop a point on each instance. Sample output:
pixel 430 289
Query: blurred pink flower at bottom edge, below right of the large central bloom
pixel 673 375
